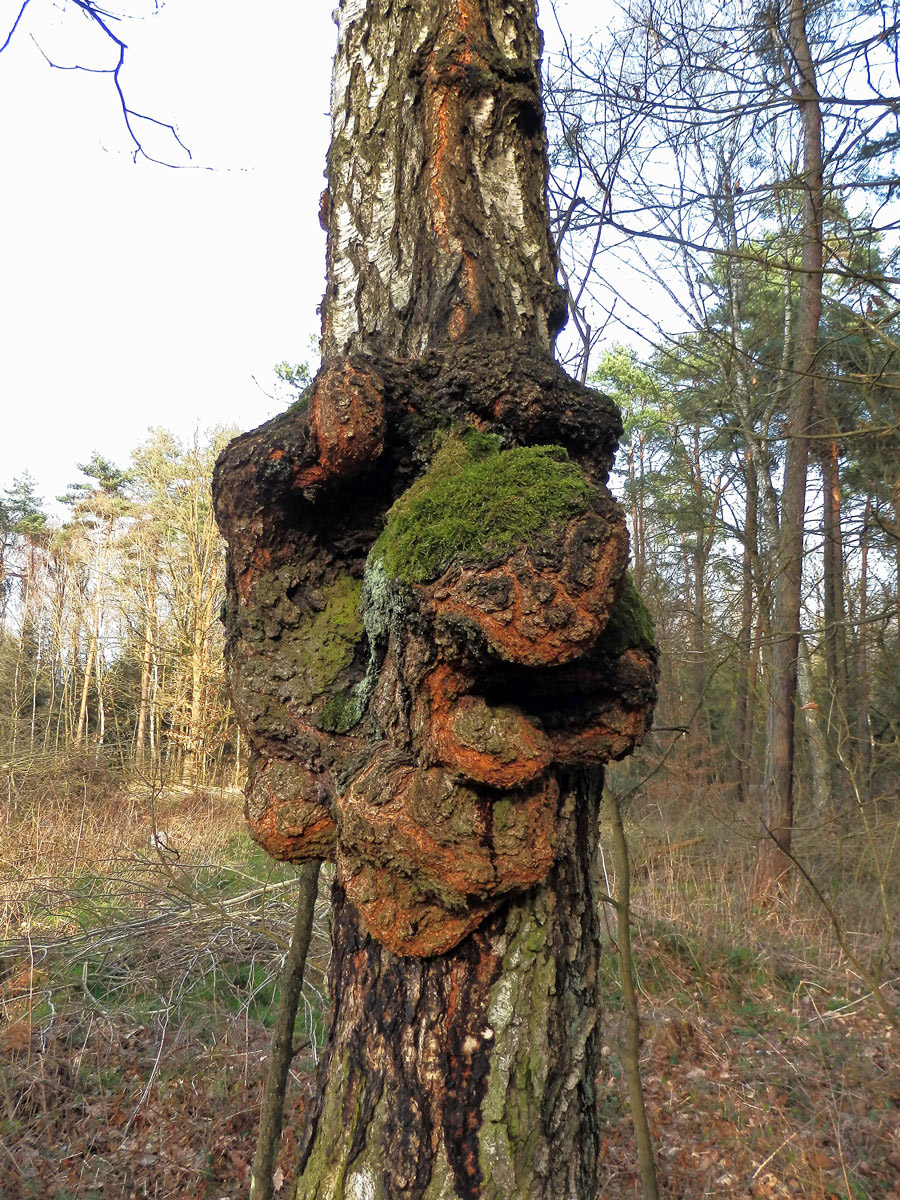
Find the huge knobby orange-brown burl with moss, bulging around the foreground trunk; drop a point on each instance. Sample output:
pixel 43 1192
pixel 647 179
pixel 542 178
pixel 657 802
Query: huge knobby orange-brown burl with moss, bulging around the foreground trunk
pixel 415 665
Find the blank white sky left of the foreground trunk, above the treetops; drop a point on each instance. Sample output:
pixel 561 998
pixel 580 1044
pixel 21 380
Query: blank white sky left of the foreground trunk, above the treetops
pixel 134 295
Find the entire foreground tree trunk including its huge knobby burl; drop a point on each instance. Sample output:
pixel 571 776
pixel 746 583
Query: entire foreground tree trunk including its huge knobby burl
pixel 434 644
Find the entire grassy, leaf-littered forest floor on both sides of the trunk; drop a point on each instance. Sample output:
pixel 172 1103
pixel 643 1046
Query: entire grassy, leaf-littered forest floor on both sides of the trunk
pixel 136 998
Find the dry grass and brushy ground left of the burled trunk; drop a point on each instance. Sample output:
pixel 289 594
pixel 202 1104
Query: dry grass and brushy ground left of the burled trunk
pixel 136 993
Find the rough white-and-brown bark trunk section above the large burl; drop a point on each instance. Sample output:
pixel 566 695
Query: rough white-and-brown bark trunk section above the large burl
pixel 436 207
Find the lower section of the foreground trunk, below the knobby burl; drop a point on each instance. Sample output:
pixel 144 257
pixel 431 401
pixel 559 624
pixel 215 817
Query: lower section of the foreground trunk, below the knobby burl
pixel 469 1075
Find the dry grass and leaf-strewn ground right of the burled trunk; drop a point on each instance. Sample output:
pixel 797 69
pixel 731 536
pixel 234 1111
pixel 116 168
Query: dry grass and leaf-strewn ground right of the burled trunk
pixel 770 1067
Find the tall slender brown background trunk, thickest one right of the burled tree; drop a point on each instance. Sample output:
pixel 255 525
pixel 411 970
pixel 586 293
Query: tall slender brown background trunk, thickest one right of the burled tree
pixel 773 853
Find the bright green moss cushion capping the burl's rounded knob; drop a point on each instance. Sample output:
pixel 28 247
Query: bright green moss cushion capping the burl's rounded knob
pixel 478 502
